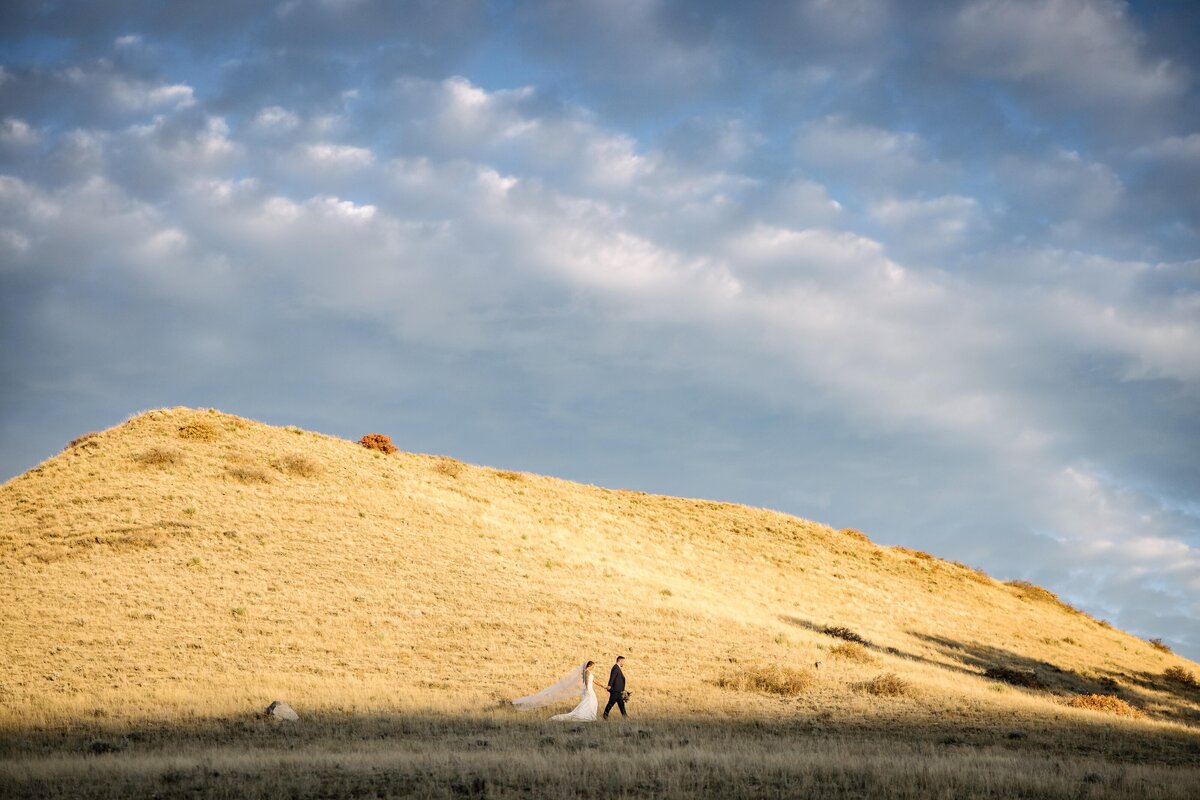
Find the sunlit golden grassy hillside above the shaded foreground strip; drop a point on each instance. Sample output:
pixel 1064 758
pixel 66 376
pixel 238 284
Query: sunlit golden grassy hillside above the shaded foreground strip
pixel 194 563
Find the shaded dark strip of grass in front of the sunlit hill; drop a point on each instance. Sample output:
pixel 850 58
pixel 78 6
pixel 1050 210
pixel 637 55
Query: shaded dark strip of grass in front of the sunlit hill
pixel 501 755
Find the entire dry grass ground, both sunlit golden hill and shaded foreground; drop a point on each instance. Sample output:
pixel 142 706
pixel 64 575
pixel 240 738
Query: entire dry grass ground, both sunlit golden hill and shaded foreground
pixel 164 581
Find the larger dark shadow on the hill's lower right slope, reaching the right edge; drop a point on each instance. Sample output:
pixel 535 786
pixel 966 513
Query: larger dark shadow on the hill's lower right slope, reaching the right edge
pixel 1135 689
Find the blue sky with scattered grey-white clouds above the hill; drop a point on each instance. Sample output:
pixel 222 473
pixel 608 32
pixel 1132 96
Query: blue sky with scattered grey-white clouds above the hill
pixel 927 270
